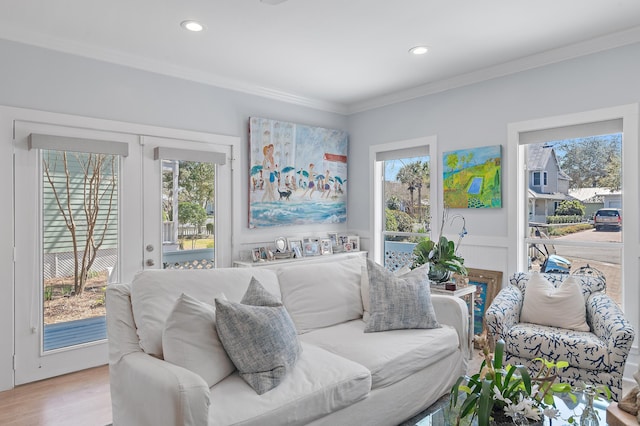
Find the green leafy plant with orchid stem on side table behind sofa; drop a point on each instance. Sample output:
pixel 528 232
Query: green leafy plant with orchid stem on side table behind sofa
pixel 441 255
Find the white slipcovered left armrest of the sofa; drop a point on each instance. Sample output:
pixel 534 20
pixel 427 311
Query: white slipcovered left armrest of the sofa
pixel 149 391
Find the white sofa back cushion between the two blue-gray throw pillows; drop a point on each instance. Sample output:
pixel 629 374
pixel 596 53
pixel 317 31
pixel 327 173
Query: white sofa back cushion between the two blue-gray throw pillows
pixel 322 294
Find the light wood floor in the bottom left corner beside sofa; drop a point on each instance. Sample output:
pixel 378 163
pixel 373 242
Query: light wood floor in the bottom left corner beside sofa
pixel 81 399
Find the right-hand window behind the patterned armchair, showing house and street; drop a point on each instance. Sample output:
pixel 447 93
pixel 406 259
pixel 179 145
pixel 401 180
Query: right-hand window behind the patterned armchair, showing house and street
pixel 581 174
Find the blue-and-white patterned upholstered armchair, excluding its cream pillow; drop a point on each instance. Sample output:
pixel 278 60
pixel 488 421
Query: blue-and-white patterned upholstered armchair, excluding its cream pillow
pixel 596 356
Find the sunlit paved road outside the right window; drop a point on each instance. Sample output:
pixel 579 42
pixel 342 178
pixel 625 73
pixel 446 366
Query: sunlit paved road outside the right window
pixel 605 259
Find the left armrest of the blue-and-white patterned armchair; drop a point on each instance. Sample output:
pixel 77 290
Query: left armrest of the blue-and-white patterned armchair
pixel 504 312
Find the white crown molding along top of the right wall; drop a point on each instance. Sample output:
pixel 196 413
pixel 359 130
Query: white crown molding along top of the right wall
pixel 610 41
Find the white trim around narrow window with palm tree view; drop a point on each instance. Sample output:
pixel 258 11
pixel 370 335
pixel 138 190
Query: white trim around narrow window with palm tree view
pixel 376 175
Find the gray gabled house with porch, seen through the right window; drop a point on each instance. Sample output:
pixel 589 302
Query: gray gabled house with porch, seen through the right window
pixel 548 184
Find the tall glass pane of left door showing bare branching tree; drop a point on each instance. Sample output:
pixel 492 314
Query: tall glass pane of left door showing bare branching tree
pixel 79 202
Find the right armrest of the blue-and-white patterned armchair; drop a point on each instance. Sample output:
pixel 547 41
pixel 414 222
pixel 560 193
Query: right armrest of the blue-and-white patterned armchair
pixel 608 323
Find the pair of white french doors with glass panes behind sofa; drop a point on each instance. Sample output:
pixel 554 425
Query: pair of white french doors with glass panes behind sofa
pixel 92 208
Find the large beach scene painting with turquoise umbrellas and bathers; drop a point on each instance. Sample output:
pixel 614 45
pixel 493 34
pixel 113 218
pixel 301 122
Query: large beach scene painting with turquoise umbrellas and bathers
pixel 297 174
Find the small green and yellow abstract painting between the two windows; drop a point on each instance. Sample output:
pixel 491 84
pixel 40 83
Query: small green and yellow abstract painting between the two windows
pixel 472 177
